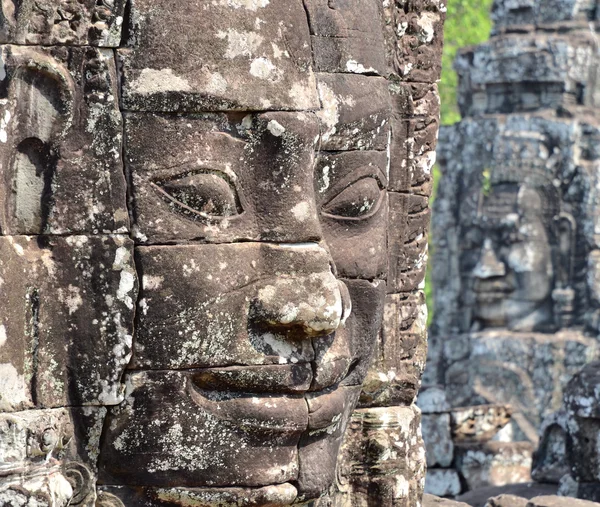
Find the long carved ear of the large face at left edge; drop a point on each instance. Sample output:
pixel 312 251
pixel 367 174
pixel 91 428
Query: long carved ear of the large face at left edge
pixel 38 114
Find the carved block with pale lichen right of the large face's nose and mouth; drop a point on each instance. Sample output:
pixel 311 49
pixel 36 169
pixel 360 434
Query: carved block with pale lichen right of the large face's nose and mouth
pixel 399 358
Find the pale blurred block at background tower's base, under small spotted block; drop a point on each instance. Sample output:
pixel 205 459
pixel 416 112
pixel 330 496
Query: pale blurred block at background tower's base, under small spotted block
pixel 494 463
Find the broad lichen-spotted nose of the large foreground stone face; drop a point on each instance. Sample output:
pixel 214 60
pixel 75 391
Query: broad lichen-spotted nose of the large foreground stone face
pixel 312 305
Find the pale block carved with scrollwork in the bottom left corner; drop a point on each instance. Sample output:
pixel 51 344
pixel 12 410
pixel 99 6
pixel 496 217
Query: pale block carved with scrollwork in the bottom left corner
pixel 58 449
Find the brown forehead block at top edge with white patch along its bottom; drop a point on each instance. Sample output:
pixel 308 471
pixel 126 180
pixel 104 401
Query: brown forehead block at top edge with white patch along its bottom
pixel 347 38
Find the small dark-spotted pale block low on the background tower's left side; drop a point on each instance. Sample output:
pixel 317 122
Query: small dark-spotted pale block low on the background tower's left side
pixel 479 423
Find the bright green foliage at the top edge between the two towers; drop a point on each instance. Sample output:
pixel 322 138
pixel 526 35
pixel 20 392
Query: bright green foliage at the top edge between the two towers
pixel 467 23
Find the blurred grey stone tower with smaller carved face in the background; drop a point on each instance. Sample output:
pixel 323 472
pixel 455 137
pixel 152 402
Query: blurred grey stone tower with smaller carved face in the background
pixel 516 238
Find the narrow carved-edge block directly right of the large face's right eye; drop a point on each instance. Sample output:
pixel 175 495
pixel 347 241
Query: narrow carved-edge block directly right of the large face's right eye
pixel 407 241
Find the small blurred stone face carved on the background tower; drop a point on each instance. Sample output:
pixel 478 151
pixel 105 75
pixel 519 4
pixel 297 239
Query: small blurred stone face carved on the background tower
pixel 512 275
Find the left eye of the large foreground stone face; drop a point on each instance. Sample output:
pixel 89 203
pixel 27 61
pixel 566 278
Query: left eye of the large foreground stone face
pixel 207 193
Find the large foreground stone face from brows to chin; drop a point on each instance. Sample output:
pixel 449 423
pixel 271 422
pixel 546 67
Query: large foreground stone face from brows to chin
pixel 251 349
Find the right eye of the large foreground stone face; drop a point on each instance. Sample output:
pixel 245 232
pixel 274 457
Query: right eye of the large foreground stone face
pixel 359 200
